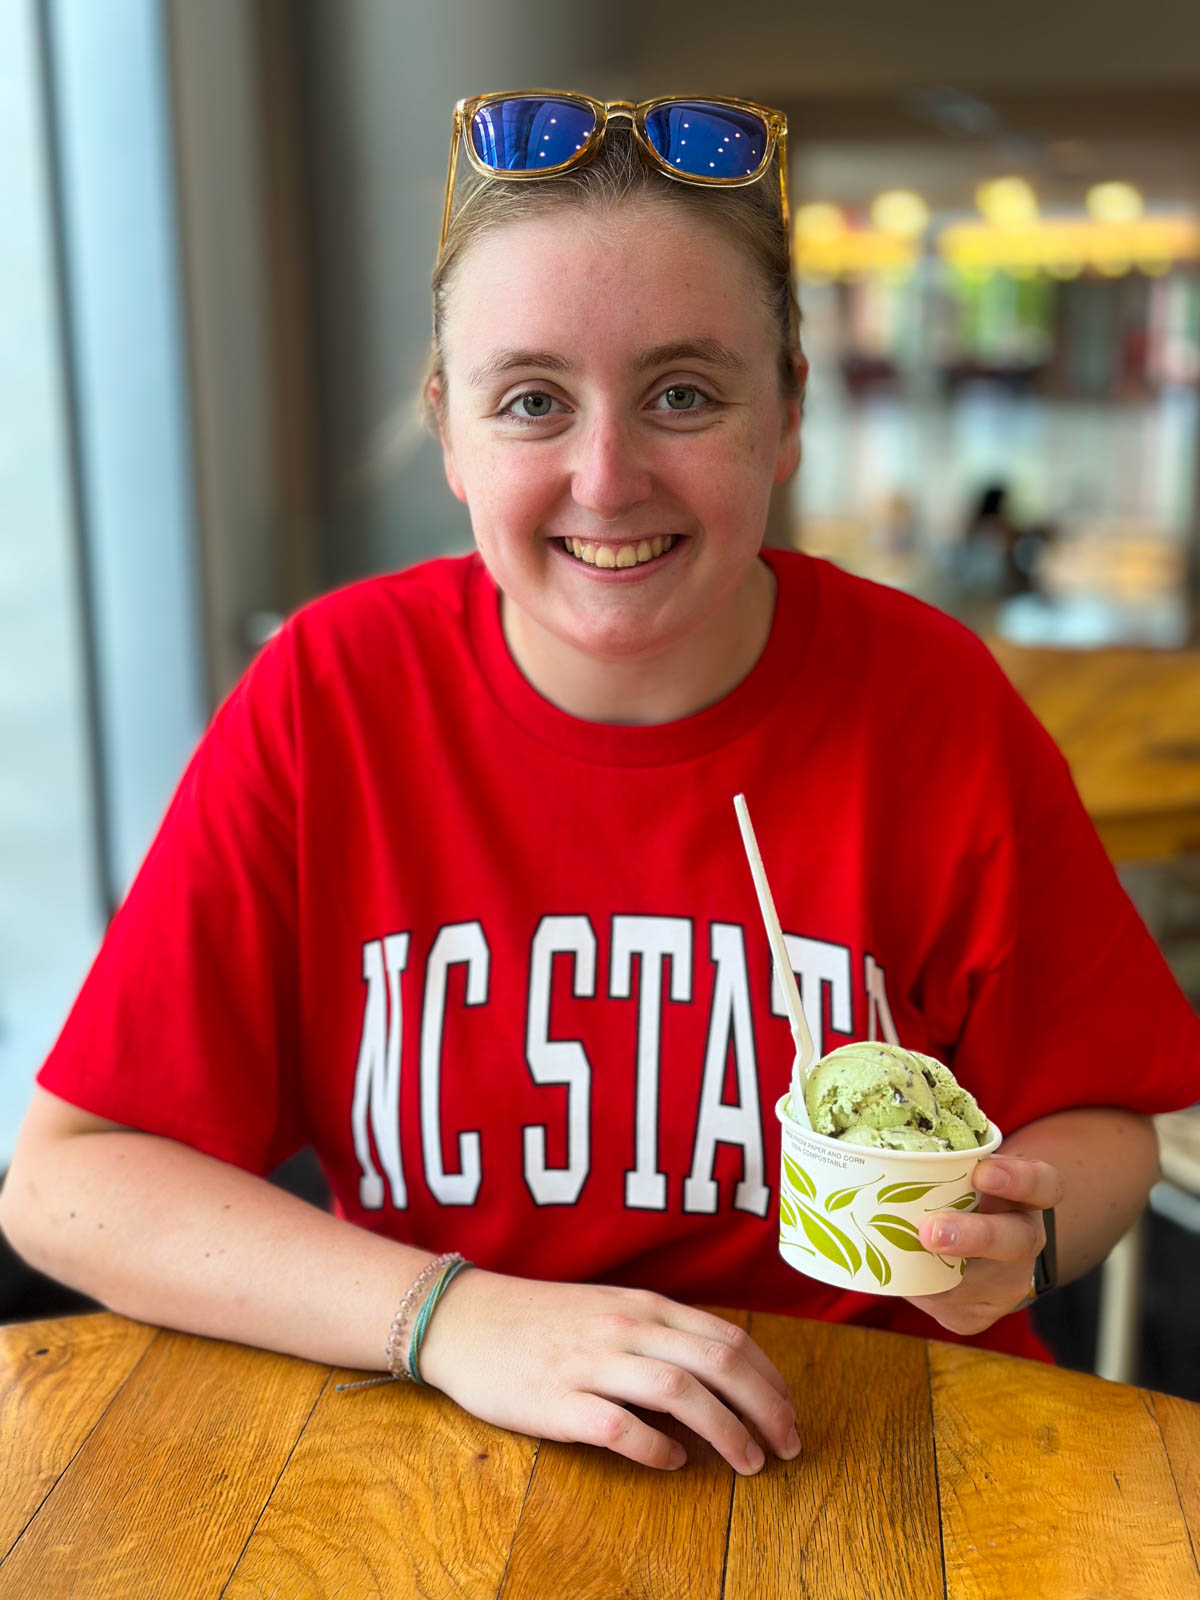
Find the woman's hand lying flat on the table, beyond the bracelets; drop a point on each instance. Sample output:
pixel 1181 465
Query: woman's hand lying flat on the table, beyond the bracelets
pixel 566 1361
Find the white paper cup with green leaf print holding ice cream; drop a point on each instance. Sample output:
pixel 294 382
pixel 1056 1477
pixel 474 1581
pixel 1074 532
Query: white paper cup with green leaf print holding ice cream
pixel 849 1214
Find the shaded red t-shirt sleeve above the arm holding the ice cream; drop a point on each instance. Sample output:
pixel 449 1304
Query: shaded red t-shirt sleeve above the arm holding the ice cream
pixel 1079 1007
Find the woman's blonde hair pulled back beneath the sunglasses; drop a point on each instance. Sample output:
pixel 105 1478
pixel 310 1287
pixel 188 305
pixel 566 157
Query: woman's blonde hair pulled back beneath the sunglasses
pixel 618 177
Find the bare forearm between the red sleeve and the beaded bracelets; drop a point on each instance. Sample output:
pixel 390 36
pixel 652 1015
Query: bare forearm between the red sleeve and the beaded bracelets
pixel 169 1236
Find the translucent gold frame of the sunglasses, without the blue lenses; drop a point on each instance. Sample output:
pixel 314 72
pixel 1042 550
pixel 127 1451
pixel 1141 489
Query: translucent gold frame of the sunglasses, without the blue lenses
pixel 636 113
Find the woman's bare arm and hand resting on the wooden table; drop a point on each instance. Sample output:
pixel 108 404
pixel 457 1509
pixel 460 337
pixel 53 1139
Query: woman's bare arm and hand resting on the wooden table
pixel 161 1233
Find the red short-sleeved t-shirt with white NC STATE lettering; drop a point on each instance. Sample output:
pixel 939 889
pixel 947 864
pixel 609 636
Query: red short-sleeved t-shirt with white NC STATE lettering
pixel 506 970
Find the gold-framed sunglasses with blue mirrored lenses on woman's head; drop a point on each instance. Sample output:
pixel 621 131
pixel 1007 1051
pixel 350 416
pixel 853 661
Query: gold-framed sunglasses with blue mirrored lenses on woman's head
pixel 542 134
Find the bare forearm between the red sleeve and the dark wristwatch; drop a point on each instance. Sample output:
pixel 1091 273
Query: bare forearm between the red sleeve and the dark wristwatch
pixel 1108 1161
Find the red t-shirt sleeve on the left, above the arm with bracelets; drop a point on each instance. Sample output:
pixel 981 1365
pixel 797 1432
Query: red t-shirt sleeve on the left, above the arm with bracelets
pixel 188 1022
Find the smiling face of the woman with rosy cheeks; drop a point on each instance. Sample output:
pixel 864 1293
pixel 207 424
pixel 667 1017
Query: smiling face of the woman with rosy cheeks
pixel 615 425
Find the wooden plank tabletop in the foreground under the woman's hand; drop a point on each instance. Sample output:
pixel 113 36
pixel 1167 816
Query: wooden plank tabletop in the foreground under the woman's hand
pixel 142 1465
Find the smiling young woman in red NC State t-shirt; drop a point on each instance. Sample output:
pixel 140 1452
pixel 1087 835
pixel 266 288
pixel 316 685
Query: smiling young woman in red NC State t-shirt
pixel 454 887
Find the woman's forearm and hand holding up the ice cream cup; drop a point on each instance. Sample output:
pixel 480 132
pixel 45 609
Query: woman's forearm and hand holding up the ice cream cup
pixel 1094 1166
